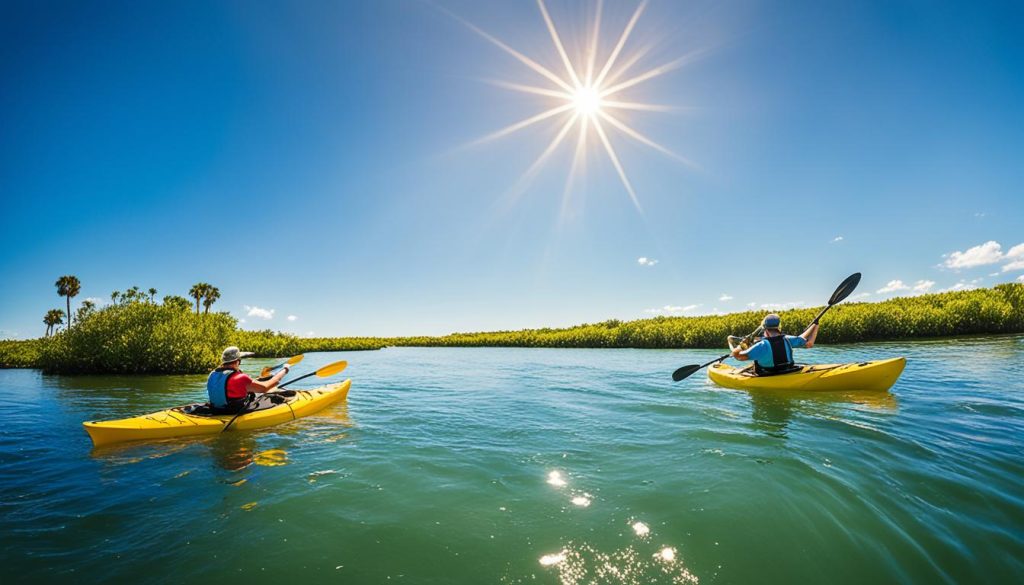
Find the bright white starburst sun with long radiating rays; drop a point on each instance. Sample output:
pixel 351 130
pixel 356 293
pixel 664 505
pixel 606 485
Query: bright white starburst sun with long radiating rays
pixel 587 99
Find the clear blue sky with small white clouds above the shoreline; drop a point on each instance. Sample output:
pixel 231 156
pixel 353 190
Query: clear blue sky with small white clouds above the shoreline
pixel 320 159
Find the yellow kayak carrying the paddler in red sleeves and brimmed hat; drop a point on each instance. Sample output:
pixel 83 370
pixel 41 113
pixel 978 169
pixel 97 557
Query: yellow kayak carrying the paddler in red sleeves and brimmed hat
pixel 189 421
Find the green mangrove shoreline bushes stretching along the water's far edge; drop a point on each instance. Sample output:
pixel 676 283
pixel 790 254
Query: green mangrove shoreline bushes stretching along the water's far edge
pixel 143 337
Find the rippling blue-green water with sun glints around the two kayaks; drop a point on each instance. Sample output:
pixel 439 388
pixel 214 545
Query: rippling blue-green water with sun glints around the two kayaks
pixel 492 466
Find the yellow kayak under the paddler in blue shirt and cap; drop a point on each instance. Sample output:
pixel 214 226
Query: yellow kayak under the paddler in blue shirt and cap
pixel 876 377
